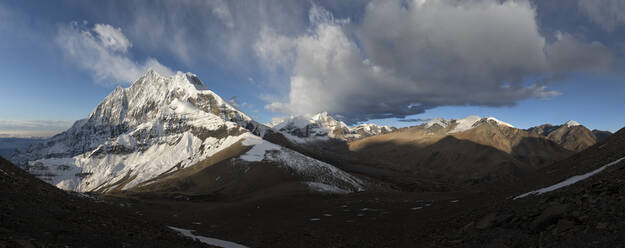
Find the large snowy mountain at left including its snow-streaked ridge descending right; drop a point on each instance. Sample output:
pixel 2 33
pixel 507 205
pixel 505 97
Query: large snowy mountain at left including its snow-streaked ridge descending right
pixel 156 127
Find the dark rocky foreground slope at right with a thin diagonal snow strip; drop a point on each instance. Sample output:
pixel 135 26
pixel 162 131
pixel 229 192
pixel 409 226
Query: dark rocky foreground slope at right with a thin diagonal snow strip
pixel 590 213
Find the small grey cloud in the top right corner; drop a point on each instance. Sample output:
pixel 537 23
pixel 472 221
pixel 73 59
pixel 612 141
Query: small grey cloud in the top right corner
pixel 609 14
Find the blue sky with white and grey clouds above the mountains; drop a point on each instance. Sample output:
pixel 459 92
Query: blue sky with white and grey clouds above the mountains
pixel 392 62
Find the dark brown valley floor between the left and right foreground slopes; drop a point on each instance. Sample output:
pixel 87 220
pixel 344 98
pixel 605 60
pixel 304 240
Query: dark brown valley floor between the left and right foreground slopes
pixel 357 220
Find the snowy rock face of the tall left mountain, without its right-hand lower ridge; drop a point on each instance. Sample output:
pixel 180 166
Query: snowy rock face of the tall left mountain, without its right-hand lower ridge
pixel 160 120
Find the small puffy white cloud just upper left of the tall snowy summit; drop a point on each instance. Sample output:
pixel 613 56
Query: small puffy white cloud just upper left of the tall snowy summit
pixel 103 50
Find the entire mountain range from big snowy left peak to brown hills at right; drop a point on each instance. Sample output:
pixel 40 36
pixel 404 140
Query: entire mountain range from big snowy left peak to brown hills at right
pixel 172 134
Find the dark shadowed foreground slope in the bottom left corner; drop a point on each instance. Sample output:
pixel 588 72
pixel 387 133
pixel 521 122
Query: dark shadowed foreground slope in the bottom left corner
pixel 36 214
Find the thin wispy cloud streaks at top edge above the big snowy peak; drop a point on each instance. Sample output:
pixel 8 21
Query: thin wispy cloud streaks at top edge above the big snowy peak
pixel 213 32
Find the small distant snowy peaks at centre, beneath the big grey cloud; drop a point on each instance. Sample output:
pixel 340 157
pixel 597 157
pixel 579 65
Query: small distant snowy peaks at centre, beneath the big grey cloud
pixel 322 126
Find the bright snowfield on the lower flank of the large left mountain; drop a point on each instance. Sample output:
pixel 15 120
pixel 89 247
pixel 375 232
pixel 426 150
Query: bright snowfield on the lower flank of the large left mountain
pixel 106 169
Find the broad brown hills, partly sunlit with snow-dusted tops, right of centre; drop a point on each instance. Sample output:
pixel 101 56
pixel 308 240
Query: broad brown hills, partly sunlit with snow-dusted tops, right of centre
pixel 471 150
